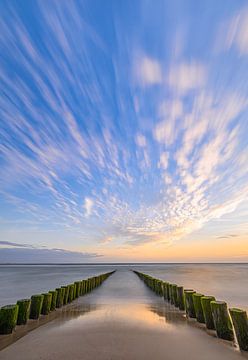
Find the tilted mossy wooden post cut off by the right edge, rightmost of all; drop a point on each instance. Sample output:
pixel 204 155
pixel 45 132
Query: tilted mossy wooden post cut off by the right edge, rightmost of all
pixel 240 323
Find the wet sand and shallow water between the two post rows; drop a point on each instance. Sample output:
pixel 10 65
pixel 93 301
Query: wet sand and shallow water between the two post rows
pixel 120 320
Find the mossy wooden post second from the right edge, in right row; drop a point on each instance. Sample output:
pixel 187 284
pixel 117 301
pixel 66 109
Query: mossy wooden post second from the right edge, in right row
pixel 222 321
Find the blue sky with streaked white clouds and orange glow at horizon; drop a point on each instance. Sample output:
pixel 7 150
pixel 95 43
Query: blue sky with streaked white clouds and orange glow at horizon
pixel 123 131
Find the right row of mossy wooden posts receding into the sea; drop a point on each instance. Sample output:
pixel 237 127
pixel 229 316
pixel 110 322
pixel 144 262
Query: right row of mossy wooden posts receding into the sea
pixel 205 309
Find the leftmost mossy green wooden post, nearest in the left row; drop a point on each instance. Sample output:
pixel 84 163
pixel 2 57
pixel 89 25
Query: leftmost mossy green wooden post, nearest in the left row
pixel 8 318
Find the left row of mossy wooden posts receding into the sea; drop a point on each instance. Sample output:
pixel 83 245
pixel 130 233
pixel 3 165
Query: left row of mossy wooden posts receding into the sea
pixel 18 314
